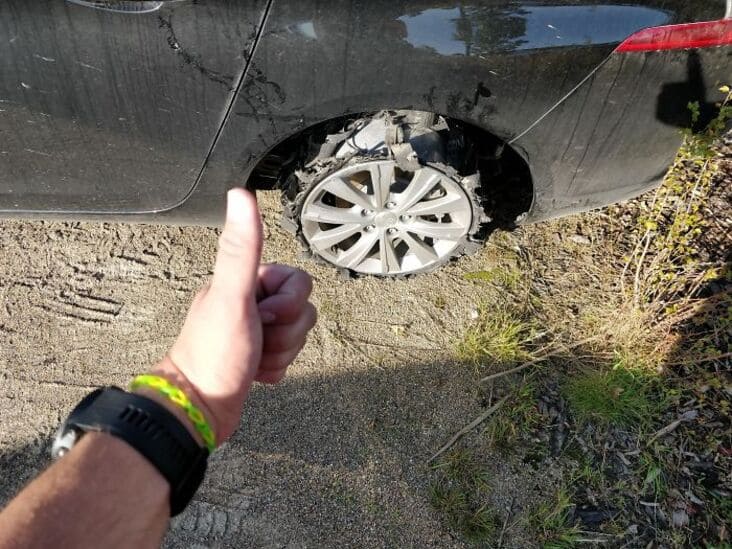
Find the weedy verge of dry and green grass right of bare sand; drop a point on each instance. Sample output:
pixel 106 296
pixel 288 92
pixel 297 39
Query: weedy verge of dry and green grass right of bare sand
pixel 656 299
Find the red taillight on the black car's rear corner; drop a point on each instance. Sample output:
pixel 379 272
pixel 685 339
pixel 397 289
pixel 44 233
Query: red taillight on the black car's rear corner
pixel 677 37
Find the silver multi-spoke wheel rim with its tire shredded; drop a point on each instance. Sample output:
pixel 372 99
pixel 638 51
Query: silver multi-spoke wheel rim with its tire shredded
pixel 374 218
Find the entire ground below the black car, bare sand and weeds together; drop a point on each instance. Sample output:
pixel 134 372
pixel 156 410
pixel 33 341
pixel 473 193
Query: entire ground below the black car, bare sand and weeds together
pixel 337 455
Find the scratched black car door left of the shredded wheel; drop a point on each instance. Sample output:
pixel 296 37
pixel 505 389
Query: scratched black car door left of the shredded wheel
pixel 114 106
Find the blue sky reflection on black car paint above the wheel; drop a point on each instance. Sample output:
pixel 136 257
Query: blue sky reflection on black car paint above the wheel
pixel 474 30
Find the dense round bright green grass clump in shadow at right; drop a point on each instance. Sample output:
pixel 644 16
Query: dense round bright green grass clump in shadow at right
pixel 623 395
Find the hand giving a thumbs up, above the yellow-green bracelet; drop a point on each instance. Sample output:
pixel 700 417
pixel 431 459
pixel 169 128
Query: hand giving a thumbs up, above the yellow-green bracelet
pixel 247 325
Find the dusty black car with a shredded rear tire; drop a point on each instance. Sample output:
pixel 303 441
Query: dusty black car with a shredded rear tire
pixel 398 131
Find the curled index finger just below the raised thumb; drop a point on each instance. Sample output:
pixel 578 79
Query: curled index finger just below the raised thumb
pixel 288 298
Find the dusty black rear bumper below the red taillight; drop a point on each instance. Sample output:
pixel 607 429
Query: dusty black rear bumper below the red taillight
pixel 615 136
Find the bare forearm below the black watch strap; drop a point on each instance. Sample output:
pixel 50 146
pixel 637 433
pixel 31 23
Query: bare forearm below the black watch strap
pixel 102 494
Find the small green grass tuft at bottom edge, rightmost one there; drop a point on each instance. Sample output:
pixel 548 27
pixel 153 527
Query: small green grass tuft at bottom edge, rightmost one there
pixel 552 522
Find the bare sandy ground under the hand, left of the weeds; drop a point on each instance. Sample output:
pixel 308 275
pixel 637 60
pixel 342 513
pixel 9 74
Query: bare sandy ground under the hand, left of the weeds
pixel 334 456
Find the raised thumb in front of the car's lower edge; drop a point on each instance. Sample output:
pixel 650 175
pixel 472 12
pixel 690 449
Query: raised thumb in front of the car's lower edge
pixel 240 247
